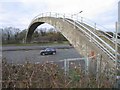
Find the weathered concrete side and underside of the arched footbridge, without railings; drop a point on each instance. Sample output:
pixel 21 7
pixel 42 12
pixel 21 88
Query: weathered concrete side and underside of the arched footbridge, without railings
pixel 76 37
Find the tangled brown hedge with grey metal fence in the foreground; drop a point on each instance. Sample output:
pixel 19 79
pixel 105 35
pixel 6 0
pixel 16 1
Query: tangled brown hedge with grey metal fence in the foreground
pixel 69 73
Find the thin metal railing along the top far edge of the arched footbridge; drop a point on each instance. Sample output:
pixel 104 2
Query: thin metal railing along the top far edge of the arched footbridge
pixel 84 20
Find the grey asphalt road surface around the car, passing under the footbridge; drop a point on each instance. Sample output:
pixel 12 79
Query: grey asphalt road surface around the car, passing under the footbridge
pixel 33 56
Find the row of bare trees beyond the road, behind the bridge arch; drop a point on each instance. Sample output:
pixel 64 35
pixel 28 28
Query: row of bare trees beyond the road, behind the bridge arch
pixel 11 35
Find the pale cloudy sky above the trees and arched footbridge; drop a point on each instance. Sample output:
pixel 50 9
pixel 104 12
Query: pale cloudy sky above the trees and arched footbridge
pixel 19 13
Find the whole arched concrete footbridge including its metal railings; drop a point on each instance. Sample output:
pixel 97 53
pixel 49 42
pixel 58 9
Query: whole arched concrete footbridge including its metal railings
pixel 84 35
